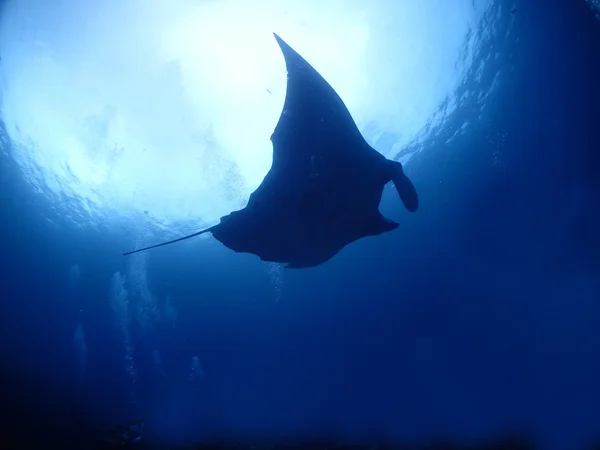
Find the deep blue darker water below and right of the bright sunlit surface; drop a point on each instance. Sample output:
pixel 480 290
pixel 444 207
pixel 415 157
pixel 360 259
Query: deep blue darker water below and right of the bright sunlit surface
pixel 479 316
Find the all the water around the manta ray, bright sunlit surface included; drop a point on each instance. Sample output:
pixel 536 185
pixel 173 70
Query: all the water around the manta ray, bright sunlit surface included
pixel 479 316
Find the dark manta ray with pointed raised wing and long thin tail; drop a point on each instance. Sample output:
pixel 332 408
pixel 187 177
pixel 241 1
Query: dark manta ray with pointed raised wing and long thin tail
pixel 324 186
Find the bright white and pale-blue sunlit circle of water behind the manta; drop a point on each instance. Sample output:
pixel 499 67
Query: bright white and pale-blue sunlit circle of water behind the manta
pixel 158 114
